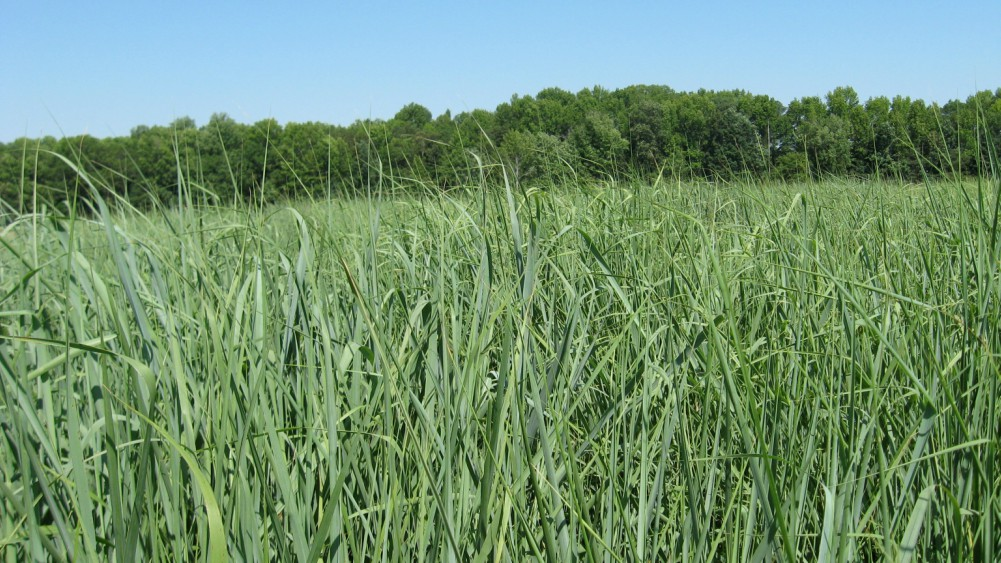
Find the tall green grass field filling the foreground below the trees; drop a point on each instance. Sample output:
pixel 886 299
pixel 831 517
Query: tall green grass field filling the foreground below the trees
pixel 668 372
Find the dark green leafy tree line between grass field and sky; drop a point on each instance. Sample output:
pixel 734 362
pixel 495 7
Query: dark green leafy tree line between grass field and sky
pixel 634 134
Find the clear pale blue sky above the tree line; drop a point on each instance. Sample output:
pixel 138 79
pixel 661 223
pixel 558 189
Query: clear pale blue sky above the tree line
pixel 105 68
